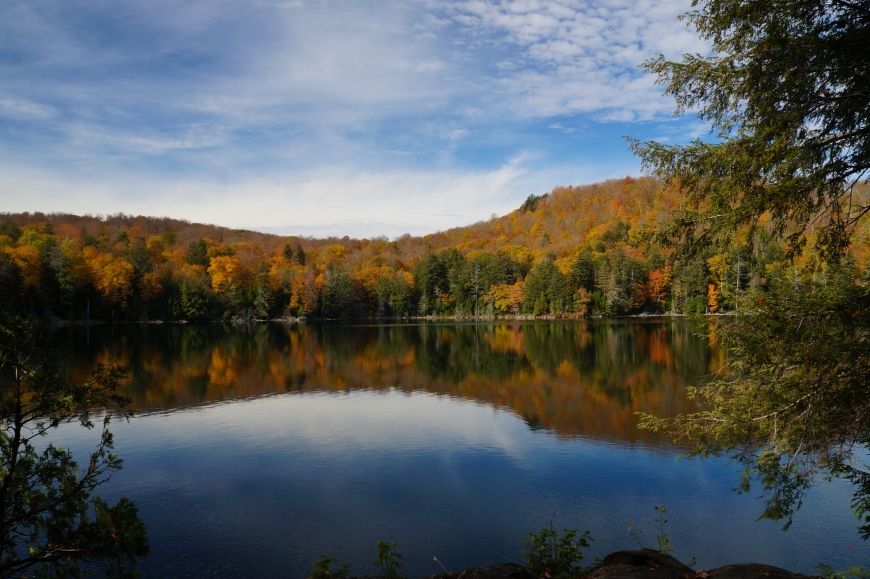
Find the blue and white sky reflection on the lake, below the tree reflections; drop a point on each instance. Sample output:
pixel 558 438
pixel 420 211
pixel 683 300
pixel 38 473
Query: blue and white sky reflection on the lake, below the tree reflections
pixel 258 487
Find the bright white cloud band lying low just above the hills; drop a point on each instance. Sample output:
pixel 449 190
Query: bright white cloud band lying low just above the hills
pixel 327 201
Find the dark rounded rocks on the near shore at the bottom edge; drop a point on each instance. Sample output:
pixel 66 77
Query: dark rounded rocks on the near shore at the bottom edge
pixel 642 564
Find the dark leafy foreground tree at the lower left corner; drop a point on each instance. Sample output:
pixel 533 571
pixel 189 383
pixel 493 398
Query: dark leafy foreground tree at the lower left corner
pixel 51 523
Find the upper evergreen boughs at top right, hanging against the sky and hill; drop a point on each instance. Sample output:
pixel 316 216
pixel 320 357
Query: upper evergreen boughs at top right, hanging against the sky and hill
pixel 788 92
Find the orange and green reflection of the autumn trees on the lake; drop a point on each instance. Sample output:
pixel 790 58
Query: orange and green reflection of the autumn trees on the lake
pixel 573 378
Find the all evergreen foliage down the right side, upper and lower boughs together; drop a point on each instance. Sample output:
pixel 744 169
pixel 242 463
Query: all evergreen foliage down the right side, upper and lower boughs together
pixel 788 92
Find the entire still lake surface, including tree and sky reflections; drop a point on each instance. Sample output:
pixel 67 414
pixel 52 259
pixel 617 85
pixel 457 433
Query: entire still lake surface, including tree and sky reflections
pixel 256 448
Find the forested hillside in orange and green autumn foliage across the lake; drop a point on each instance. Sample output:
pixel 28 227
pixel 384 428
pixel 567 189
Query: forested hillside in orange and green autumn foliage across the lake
pixel 568 252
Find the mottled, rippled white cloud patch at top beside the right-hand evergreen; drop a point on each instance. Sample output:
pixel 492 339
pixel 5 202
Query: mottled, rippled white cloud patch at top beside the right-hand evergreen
pixel 582 57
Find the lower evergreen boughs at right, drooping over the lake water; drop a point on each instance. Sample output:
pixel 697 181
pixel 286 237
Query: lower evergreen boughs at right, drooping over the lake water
pixel 794 406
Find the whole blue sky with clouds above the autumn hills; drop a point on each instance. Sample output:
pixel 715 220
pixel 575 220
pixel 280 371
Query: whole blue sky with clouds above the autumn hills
pixel 319 118
